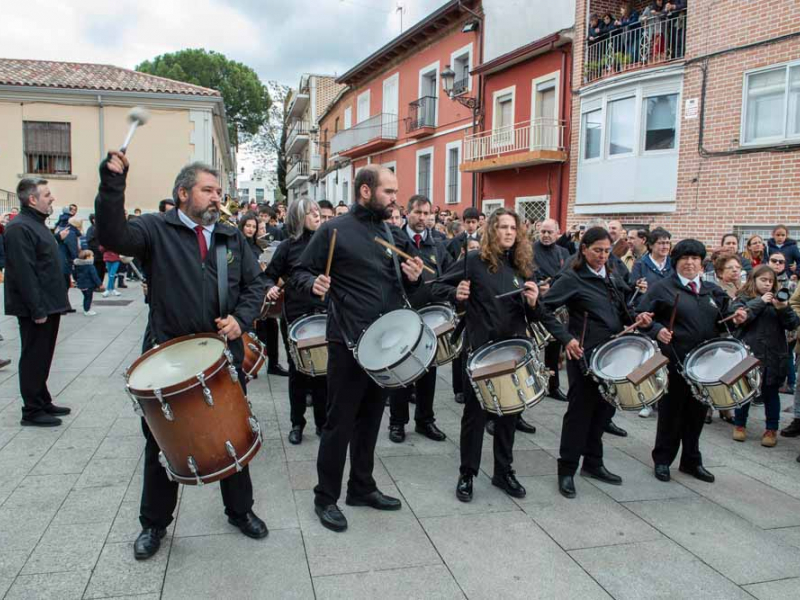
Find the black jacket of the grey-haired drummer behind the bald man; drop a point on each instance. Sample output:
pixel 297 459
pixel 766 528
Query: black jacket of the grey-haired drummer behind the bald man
pixel 296 302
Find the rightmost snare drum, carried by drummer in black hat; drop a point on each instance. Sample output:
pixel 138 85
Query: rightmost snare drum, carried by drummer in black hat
pixel 723 374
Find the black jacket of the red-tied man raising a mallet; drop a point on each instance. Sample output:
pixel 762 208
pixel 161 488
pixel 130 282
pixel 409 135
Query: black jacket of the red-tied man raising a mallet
pixel 182 290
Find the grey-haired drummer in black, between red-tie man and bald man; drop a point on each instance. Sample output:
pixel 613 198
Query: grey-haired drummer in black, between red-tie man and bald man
pixel 302 220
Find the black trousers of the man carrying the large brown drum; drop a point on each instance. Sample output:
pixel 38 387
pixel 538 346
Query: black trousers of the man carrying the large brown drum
pixel 160 495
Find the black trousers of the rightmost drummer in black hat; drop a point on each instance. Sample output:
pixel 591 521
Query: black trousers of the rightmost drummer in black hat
pixel 680 422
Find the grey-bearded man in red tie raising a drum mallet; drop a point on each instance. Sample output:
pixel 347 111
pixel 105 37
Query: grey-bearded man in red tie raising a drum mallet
pixel 177 251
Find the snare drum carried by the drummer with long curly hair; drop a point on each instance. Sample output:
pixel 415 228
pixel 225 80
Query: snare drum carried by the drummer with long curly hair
pixel 506 376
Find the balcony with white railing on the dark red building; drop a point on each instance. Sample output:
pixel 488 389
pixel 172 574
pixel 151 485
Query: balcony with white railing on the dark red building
pixel 521 145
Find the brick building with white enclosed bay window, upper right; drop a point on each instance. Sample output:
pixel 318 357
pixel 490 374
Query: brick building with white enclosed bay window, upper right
pixel 691 121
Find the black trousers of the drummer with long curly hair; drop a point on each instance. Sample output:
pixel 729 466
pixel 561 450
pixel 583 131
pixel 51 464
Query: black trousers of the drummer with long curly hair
pixel 473 422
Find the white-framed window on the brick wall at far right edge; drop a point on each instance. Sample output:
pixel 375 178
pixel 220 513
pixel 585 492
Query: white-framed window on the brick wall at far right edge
pixel 772 105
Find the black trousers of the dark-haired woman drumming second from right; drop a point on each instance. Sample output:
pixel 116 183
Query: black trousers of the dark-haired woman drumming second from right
pixel 584 421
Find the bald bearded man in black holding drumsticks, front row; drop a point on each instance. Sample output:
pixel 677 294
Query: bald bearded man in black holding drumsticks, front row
pixel 362 285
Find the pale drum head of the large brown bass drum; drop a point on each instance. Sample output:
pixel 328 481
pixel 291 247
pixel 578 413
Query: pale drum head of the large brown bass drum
pixel 176 363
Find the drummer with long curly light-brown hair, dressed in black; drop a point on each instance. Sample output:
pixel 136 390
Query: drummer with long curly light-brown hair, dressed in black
pixel 504 262
